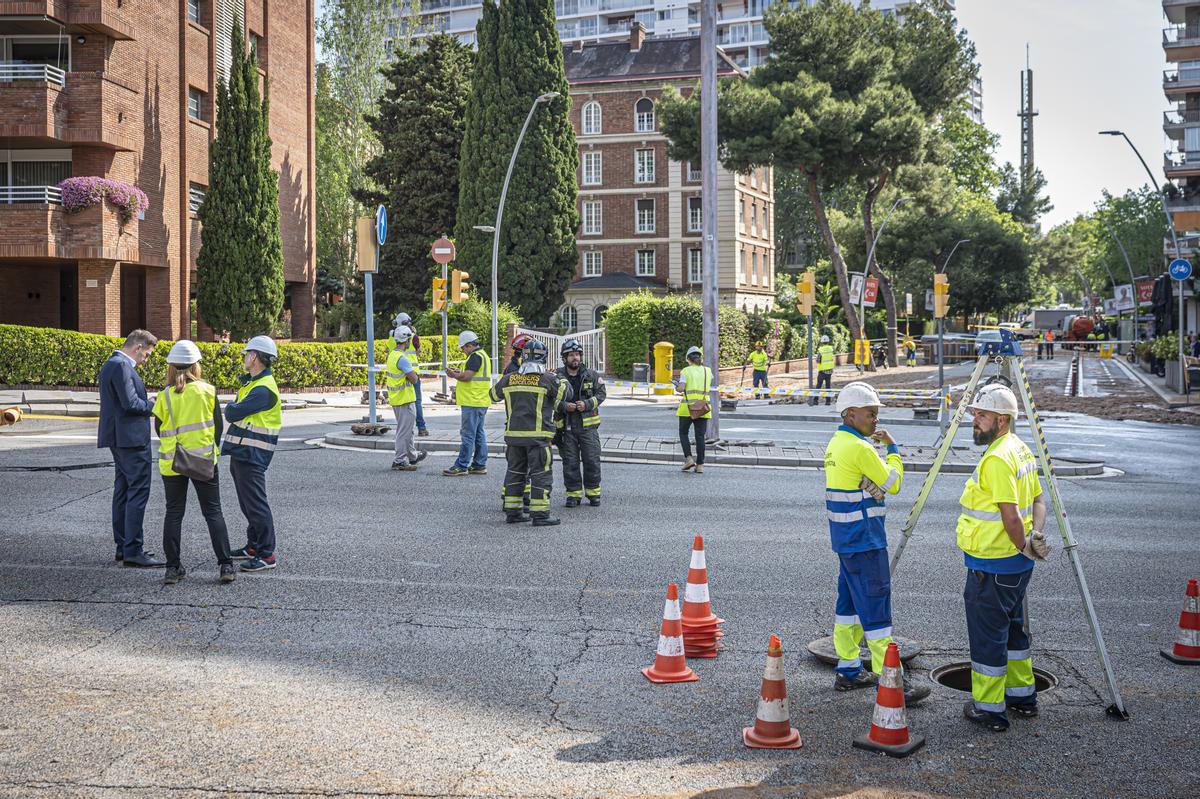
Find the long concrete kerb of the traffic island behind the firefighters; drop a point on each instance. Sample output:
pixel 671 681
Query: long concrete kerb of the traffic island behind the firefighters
pixel 637 450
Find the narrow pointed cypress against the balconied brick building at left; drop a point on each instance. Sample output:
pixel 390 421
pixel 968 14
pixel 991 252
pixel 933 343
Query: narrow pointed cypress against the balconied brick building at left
pixel 241 265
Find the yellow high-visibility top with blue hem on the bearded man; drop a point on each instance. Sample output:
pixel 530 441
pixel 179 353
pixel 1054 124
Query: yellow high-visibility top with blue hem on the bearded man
pixel 981 530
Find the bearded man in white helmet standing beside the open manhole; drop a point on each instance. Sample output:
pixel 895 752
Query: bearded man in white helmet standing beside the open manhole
pixel 1000 534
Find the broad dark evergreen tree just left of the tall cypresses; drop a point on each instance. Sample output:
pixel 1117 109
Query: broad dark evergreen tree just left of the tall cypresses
pixel 421 128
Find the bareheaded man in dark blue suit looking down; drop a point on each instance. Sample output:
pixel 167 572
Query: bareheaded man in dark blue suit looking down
pixel 125 430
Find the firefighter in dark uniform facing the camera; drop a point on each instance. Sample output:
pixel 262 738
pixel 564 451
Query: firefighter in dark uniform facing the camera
pixel 579 434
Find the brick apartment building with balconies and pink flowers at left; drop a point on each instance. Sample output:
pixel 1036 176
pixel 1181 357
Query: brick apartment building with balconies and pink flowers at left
pixel 127 91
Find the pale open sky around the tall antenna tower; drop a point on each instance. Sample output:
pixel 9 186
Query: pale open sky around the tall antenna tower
pixel 1097 65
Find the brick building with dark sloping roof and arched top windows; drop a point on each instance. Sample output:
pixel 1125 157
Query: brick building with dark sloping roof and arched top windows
pixel 641 212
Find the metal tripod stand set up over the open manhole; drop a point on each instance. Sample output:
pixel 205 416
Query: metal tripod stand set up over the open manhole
pixel 1010 364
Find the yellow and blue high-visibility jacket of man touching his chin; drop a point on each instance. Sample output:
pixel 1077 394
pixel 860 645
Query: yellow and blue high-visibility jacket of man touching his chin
pixel 856 518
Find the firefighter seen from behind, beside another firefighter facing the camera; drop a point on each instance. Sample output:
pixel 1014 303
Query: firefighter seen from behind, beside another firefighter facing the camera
pixel 531 398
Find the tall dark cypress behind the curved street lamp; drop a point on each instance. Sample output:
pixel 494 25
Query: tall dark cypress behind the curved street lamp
pixel 520 59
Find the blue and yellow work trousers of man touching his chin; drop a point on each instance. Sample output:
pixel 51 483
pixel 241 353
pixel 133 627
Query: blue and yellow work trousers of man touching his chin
pixel 863 610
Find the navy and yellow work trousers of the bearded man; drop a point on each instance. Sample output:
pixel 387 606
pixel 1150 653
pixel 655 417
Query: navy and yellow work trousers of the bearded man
pixel 1001 668
